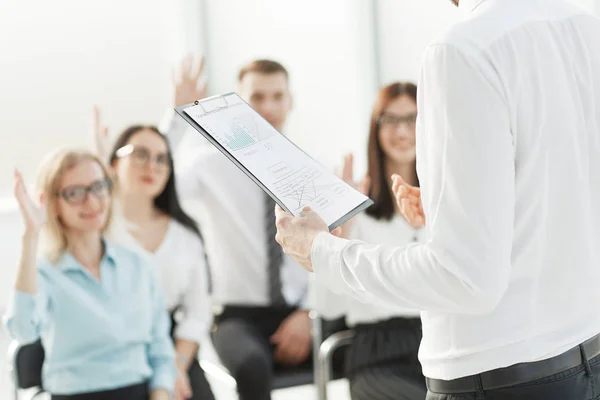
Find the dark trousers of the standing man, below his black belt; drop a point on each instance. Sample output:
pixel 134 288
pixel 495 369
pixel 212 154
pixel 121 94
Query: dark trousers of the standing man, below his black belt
pixel 578 383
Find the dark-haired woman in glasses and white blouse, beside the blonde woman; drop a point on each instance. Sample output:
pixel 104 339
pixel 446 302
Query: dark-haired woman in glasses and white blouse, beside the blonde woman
pixel 142 166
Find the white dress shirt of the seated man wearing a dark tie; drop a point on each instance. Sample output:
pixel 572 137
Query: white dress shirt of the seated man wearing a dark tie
pixel 230 209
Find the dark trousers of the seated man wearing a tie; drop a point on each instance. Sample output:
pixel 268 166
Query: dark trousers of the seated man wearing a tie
pixel 241 337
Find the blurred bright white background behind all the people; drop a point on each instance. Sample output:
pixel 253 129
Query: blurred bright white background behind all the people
pixel 60 57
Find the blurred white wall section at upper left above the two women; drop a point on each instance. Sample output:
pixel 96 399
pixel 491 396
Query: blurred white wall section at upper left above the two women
pixel 59 57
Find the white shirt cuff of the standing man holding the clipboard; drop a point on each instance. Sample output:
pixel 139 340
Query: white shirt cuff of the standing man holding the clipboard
pixel 327 259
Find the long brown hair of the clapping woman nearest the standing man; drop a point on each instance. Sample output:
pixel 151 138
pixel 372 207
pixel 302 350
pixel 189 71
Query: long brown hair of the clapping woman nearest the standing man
pixel 380 191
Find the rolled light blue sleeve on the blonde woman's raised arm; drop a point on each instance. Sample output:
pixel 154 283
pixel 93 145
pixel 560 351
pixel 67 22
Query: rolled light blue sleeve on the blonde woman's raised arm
pixel 22 319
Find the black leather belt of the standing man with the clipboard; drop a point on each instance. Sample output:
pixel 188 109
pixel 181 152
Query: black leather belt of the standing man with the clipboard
pixel 518 373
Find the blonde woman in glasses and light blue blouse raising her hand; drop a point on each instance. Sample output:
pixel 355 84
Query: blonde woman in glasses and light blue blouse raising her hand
pixel 97 307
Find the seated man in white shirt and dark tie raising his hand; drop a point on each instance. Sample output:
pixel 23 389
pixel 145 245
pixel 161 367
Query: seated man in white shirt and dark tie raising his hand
pixel 259 295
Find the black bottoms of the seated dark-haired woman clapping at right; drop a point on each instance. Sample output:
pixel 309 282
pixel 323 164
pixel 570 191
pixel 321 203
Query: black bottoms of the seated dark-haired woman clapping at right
pixel 382 361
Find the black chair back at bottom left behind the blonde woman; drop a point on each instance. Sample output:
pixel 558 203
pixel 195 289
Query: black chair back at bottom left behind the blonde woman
pixel 25 367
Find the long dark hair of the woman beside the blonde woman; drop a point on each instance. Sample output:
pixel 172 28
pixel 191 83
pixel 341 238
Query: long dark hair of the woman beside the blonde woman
pixel 167 201
